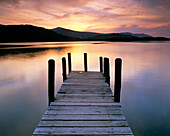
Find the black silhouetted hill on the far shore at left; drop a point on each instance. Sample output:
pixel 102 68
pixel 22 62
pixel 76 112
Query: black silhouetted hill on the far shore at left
pixel 29 33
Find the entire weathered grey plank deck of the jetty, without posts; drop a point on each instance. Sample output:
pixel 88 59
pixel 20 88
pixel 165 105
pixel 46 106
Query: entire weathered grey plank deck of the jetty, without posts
pixel 84 106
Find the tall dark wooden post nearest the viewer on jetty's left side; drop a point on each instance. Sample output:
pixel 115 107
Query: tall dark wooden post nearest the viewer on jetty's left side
pixel 51 79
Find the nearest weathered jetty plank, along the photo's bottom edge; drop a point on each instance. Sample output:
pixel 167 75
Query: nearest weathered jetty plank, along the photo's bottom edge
pixel 82 130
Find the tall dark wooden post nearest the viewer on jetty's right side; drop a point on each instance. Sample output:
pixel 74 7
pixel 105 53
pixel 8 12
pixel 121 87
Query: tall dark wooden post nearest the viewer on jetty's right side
pixel 117 87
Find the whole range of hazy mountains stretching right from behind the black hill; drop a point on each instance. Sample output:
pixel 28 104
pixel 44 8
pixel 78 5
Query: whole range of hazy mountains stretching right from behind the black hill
pixel 91 36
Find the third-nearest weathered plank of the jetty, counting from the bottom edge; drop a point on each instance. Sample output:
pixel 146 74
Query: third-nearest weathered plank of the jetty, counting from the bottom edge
pixel 79 117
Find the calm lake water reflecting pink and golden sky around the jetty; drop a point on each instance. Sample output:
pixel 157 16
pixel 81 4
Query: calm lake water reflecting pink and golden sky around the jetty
pixel 145 93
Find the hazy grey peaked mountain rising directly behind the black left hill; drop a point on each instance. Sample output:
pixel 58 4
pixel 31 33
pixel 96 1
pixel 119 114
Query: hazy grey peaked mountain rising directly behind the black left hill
pixel 74 34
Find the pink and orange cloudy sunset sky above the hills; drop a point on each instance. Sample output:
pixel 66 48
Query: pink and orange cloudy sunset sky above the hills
pixel 138 16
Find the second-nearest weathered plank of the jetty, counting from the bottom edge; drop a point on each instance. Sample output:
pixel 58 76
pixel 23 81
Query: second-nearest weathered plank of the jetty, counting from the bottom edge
pixel 83 123
